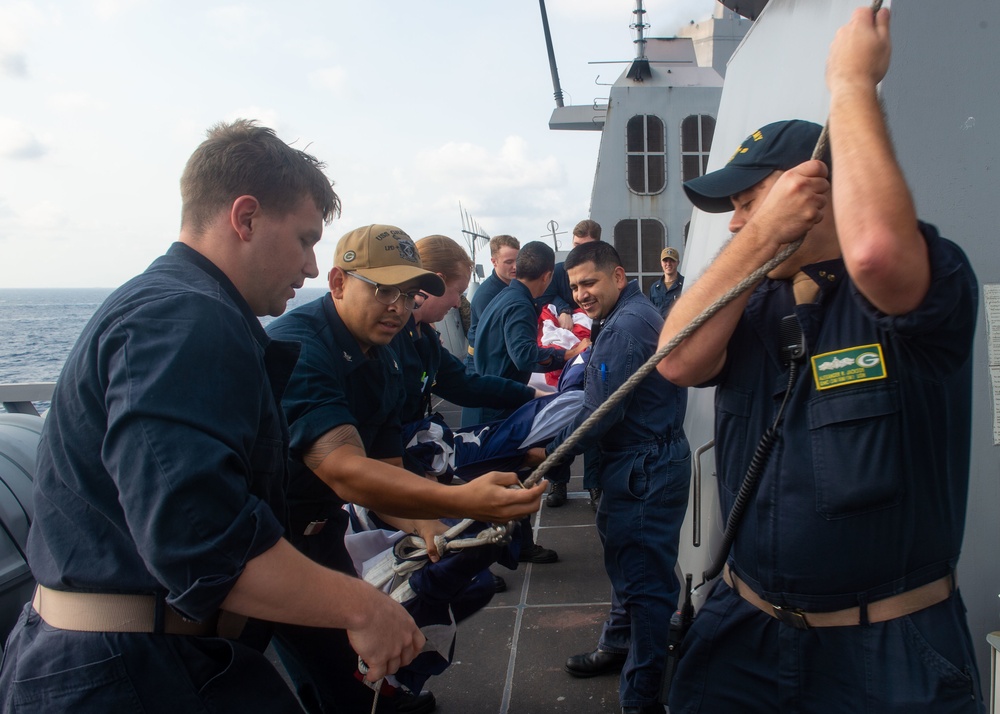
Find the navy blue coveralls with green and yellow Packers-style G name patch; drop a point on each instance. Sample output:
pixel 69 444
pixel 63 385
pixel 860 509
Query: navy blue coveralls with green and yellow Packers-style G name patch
pixel 863 497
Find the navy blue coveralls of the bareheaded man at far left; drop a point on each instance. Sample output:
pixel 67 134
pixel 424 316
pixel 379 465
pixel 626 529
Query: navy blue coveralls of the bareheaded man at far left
pixel 160 471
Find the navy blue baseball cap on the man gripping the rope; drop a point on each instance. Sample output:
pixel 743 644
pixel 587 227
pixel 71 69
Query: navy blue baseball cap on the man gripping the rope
pixel 778 146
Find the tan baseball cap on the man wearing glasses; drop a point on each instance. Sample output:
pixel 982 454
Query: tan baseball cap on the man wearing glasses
pixel 386 255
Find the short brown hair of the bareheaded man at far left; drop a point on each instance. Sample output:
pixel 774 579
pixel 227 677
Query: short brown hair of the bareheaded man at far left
pixel 243 159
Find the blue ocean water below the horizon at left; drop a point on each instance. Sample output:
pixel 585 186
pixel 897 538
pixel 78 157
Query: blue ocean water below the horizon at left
pixel 39 326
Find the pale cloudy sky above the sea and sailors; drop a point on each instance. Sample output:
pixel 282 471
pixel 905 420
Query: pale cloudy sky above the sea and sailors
pixel 415 107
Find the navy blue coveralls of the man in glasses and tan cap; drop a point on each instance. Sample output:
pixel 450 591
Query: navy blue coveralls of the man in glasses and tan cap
pixel 334 383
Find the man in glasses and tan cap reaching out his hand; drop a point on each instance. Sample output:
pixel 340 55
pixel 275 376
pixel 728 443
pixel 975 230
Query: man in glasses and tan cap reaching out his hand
pixel 343 405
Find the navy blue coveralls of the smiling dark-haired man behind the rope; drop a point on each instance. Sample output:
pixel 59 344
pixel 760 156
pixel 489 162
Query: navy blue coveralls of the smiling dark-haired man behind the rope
pixel 645 473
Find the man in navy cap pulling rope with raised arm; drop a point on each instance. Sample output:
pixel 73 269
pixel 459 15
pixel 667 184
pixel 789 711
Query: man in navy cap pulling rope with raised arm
pixel 840 592
